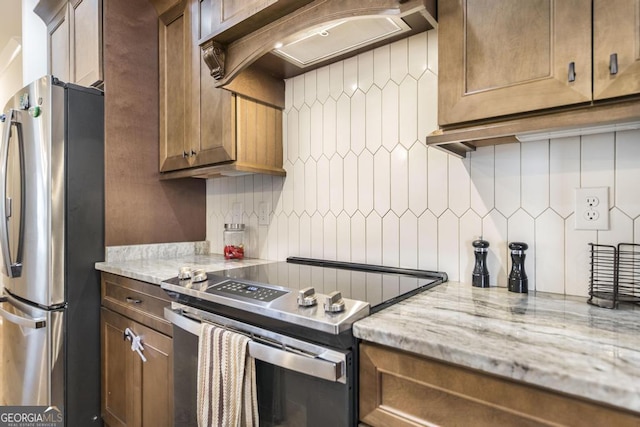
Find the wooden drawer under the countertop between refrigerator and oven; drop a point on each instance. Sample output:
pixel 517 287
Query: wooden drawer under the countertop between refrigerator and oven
pixel 140 301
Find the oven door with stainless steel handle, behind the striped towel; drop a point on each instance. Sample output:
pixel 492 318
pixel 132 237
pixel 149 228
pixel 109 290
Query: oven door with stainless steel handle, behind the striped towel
pixel 298 383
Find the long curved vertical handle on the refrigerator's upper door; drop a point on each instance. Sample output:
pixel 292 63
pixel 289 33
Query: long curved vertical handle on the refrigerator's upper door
pixel 11 269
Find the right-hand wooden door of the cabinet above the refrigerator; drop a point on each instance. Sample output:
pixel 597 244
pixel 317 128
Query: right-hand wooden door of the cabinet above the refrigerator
pixel 86 46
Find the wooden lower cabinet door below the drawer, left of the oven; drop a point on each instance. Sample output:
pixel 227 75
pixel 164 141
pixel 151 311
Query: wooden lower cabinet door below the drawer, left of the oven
pixel 135 393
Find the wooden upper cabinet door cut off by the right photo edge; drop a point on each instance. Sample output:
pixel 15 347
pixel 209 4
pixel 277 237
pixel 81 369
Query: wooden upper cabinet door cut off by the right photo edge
pixel 616 31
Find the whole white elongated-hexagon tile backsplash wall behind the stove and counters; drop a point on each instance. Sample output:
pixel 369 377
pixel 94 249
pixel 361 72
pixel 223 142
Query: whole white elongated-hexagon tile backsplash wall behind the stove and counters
pixel 362 186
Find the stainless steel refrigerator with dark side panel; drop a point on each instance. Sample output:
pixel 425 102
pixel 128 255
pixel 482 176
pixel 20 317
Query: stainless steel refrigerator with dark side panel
pixel 51 235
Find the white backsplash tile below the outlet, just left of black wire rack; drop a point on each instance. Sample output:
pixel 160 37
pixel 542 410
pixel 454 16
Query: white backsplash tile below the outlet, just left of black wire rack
pixel 577 255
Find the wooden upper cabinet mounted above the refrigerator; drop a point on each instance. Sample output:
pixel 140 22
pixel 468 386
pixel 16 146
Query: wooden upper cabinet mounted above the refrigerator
pixel 74 32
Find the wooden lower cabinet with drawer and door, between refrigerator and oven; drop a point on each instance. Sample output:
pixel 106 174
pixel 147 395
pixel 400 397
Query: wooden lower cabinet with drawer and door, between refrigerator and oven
pixel 134 392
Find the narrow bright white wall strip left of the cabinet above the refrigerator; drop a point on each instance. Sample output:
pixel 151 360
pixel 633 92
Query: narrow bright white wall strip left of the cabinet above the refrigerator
pixel 34 42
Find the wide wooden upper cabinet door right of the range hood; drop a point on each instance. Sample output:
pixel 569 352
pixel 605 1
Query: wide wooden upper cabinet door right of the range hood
pixel 501 57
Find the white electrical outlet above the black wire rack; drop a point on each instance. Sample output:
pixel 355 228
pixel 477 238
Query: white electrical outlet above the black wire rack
pixel 592 208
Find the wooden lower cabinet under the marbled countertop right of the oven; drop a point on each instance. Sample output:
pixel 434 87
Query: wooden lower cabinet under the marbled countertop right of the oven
pixel 403 389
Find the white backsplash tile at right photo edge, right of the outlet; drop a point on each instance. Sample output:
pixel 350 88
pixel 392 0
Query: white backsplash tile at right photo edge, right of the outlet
pixel 628 172
